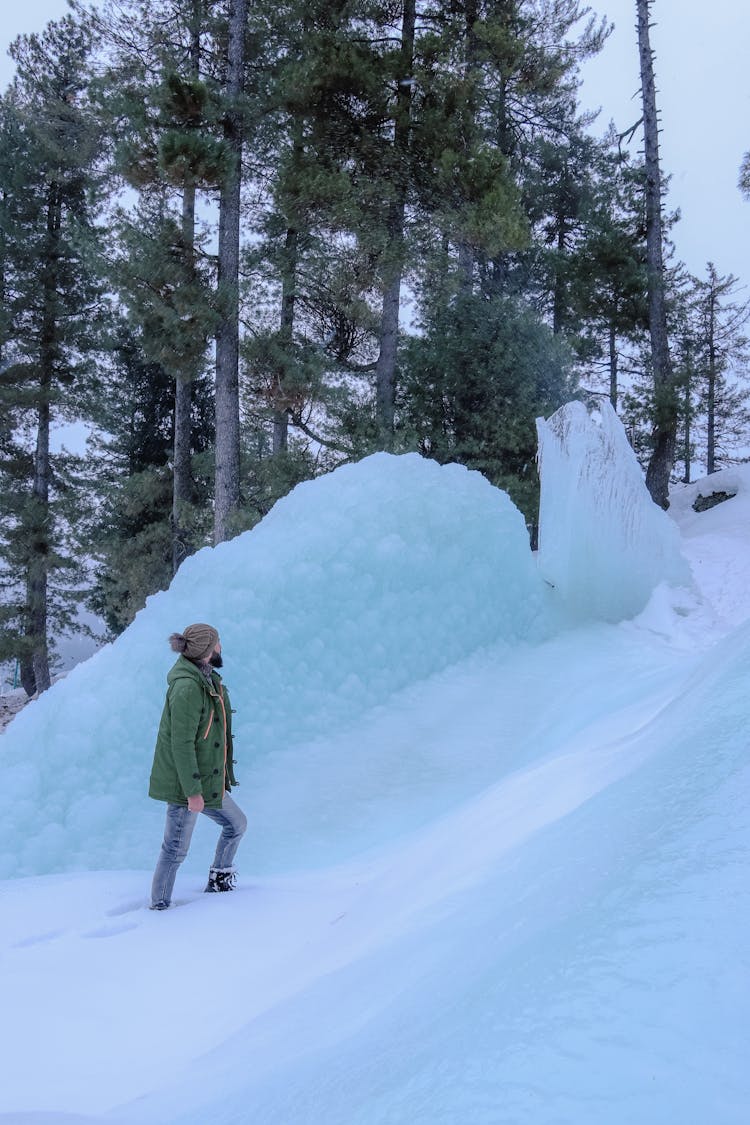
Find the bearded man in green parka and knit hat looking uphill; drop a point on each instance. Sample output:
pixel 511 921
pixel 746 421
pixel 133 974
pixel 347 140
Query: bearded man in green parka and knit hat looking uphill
pixel 193 766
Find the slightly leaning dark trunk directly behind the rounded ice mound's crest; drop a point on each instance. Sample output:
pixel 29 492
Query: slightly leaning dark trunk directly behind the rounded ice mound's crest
pixel 392 291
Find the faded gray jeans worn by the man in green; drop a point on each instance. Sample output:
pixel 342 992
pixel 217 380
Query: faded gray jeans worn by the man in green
pixel 178 833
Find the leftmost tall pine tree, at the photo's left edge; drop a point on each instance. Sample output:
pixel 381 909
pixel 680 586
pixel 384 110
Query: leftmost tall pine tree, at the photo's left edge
pixel 49 176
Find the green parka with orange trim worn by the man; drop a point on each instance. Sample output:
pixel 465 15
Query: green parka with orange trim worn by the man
pixel 194 746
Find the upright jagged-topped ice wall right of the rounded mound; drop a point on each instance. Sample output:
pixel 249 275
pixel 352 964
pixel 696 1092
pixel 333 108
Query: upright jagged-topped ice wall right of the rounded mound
pixel 603 544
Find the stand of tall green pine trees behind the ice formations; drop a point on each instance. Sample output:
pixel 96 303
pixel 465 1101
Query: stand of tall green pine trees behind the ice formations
pixel 247 242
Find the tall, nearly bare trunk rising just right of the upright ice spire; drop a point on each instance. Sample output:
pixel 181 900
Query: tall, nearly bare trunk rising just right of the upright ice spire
pixel 665 433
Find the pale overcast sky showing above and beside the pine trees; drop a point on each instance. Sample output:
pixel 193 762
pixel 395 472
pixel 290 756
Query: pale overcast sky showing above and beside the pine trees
pixel 704 98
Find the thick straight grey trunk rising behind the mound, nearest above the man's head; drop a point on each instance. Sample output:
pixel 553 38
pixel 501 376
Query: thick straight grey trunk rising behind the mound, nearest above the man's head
pixel 228 339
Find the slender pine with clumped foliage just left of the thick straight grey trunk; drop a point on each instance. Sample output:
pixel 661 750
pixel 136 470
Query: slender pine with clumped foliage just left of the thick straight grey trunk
pixel 162 111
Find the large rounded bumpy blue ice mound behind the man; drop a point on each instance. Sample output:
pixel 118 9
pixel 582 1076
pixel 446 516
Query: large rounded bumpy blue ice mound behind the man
pixel 356 586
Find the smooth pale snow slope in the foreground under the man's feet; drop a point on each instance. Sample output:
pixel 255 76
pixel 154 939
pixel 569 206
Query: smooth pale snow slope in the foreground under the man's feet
pixel 567 947
